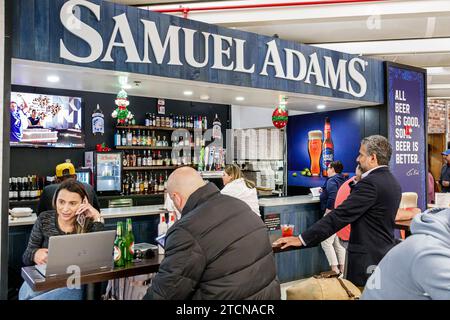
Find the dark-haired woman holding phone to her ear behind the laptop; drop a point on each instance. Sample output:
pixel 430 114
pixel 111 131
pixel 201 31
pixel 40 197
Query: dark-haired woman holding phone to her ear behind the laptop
pixel 72 215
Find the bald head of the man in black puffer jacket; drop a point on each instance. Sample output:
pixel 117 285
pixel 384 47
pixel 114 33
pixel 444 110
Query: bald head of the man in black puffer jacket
pixel 181 184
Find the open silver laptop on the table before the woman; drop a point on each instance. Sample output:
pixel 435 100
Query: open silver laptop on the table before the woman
pixel 89 251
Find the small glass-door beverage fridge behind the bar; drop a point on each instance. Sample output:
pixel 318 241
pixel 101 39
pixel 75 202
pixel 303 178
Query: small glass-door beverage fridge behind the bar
pixel 107 170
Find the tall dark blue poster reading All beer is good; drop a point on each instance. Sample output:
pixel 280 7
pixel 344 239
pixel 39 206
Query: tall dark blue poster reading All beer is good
pixel 406 105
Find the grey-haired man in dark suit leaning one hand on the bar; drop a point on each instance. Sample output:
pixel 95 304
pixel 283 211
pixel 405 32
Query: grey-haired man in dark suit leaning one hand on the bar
pixel 370 209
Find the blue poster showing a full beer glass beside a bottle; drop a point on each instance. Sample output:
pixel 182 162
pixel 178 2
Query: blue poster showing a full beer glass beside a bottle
pixel 314 140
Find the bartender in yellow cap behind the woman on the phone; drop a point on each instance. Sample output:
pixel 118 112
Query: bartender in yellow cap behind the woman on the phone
pixel 64 171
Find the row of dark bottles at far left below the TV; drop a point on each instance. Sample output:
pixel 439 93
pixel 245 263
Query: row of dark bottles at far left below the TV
pixel 25 188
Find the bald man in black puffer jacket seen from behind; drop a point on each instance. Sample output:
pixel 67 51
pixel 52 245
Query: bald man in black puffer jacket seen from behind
pixel 219 249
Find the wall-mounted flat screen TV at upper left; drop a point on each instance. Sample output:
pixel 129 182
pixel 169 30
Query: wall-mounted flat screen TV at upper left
pixel 40 120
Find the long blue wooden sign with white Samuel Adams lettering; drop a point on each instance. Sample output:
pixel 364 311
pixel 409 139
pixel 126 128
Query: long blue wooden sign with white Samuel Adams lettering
pixel 104 35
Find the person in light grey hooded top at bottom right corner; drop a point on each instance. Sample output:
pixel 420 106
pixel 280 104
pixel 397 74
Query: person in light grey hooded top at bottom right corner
pixel 419 267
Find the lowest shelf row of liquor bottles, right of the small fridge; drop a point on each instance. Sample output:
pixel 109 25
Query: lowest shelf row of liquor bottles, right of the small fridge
pixel 144 183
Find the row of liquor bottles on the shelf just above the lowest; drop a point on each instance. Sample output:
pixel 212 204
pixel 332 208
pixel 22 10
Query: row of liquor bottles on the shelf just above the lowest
pixel 149 158
